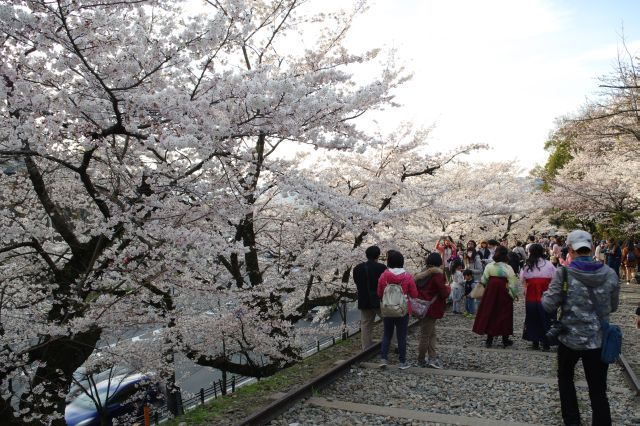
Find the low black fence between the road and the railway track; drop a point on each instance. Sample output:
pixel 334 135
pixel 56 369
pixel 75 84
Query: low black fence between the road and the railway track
pixel 157 414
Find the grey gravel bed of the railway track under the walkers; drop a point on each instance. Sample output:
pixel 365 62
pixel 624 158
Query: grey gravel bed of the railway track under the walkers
pixel 462 350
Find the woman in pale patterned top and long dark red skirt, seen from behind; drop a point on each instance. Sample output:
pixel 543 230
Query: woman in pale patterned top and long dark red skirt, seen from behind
pixel 495 313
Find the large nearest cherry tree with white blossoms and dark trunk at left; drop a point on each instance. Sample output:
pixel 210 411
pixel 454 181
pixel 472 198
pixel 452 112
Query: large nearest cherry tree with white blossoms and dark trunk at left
pixel 141 136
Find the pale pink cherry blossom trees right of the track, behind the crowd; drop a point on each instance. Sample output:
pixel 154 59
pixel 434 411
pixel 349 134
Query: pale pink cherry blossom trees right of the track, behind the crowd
pixel 595 183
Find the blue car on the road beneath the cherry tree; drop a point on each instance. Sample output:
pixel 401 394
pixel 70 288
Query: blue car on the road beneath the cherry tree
pixel 121 395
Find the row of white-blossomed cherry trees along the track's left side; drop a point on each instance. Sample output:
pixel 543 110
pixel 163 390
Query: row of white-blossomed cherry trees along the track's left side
pixel 149 186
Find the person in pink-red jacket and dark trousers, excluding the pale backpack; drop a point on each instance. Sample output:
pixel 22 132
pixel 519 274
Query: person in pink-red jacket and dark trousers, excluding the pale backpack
pixel 395 274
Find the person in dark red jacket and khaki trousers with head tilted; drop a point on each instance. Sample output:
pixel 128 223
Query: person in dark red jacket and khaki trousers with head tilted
pixel 431 283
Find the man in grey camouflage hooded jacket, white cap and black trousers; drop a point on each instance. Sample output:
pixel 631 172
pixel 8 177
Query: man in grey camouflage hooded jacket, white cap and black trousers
pixel 582 334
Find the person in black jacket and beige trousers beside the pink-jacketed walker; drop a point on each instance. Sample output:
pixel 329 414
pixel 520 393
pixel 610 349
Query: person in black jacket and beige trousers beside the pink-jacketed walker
pixel 366 275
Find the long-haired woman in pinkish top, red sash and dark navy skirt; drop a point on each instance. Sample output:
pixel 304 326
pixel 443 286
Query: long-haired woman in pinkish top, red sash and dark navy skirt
pixel 536 276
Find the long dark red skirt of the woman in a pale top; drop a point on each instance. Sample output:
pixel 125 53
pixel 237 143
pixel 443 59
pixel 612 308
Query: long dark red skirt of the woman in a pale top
pixel 495 313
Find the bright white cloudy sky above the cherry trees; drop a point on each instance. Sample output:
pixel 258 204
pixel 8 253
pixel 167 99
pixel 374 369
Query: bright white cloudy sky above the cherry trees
pixel 498 71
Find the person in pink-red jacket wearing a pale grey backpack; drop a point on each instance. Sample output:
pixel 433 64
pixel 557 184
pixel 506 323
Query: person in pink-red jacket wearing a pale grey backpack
pixel 394 285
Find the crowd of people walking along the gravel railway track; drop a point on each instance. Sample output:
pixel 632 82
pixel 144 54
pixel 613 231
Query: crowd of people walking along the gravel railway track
pixel 574 277
